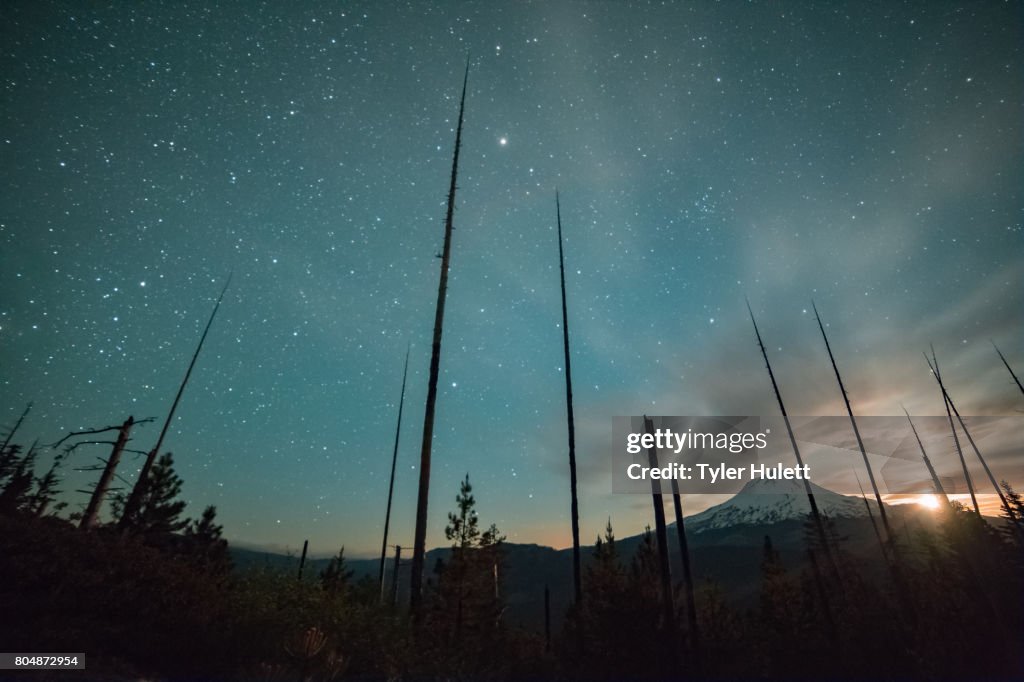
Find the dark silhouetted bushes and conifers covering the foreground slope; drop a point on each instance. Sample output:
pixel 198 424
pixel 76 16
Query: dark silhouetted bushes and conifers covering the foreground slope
pixel 160 601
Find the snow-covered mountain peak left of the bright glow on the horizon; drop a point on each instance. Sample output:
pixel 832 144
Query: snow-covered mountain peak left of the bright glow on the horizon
pixel 763 502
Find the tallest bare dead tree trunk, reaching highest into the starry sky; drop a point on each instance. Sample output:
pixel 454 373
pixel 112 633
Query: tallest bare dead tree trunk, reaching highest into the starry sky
pixel 420 539
